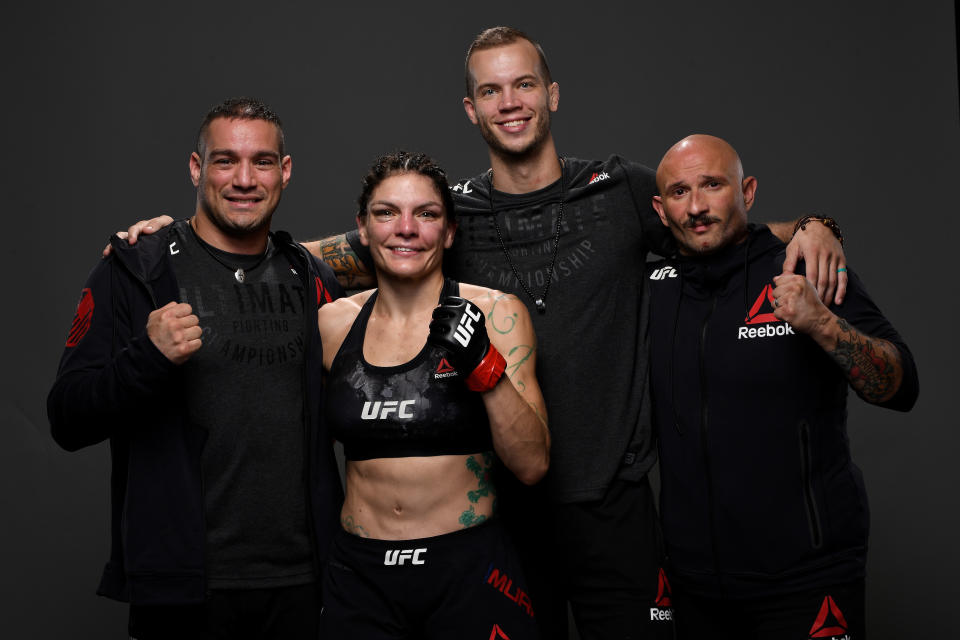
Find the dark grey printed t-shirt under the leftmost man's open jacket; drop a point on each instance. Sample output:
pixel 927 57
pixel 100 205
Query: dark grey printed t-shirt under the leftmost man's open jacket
pixel 244 388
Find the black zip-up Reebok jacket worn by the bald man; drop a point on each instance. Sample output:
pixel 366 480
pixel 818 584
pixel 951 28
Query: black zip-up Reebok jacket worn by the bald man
pixel 759 494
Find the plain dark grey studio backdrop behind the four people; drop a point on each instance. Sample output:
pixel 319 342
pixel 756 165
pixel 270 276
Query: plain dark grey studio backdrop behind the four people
pixel 844 109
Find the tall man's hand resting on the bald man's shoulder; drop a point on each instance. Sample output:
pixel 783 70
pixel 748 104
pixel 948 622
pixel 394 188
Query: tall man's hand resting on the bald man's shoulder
pixel 822 253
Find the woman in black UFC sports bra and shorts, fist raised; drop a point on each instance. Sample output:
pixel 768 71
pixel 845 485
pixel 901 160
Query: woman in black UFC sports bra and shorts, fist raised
pixel 424 403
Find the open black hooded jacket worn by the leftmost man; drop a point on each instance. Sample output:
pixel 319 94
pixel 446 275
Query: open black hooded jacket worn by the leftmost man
pixel 113 383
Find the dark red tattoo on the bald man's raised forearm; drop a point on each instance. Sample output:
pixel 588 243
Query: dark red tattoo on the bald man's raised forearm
pixel 868 364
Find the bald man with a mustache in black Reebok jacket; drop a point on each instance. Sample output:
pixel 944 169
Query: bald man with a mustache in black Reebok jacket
pixel 764 513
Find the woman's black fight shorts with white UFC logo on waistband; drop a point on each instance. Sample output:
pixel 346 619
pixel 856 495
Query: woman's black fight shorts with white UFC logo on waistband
pixel 465 585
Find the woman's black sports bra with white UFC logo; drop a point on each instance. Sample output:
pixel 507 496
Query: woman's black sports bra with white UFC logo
pixel 420 408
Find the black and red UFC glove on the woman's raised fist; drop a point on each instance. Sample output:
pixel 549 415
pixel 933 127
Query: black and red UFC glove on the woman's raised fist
pixel 458 327
